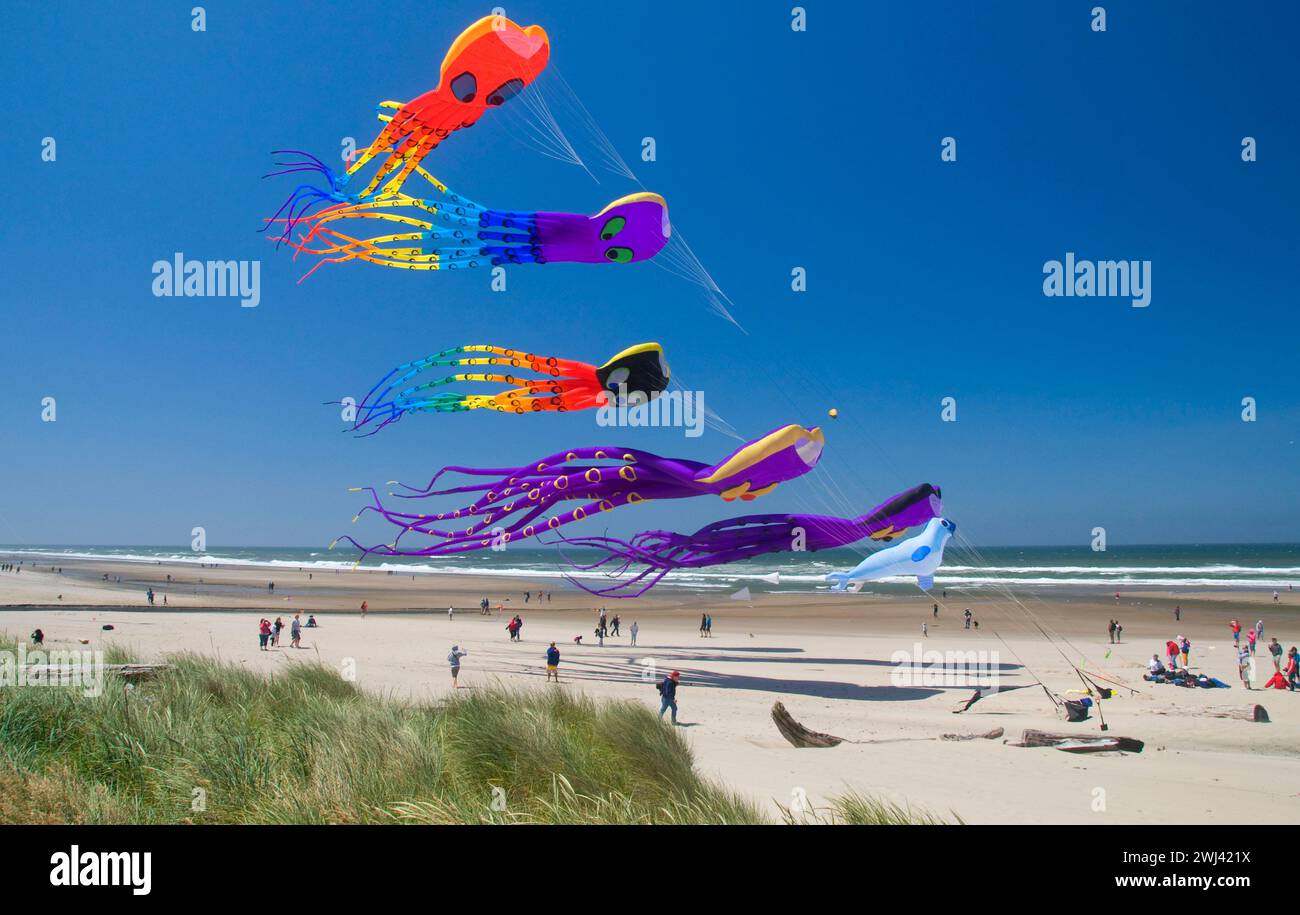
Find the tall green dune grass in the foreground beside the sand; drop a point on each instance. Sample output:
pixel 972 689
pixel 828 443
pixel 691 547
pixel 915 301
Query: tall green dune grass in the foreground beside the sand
pixel 211 743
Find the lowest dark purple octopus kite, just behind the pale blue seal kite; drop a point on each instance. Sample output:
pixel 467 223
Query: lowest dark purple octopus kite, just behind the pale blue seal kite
pixel 644 561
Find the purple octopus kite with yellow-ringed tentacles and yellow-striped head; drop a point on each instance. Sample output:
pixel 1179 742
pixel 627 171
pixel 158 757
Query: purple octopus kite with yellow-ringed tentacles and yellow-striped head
pixel 517 500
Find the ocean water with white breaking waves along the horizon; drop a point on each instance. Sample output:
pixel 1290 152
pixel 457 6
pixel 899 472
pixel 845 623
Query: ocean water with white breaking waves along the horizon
pixel 1243 566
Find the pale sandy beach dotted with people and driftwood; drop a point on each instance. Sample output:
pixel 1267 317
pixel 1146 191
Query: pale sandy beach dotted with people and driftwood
pixel 829 658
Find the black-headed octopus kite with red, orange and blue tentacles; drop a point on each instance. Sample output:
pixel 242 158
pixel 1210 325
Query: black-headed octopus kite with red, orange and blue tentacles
pixel 634 376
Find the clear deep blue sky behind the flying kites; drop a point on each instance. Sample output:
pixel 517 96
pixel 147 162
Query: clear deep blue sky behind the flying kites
pixel 775 150
